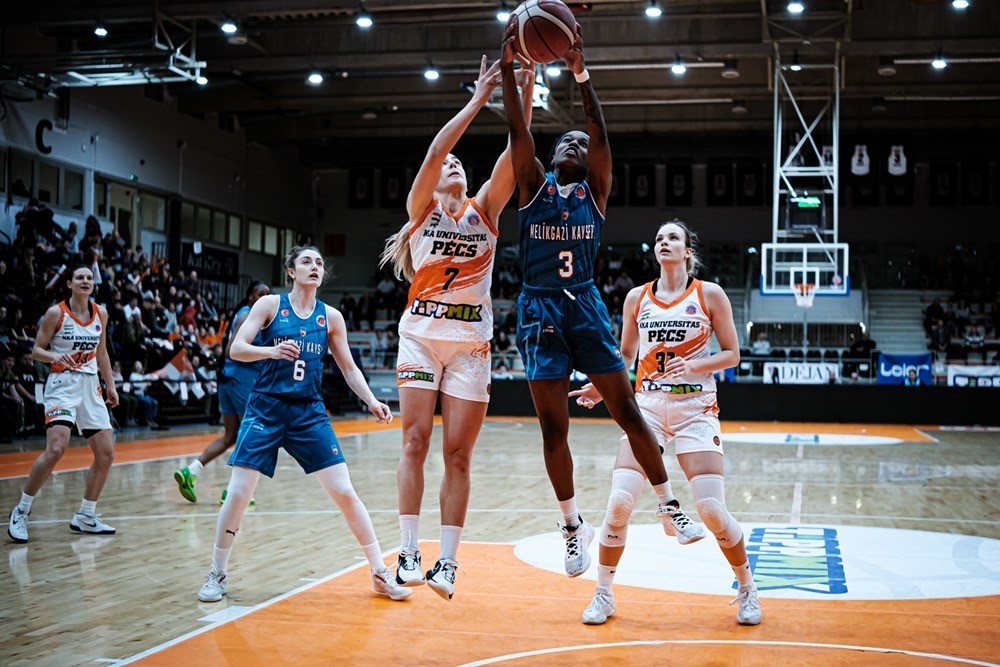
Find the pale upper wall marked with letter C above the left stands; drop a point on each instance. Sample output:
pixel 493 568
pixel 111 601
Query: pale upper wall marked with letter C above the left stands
pixel 119 132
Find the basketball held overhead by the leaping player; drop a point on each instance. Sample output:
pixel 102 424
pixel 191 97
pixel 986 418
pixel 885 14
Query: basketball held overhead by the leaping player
pixel 546 30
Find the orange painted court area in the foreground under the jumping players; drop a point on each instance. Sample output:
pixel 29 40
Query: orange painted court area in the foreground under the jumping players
pixel 504 607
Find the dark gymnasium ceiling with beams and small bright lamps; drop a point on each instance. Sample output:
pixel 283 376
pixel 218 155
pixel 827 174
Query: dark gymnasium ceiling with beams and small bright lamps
pixel 374 86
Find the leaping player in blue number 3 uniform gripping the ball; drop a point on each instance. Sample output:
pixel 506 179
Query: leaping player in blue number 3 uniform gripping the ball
pixel 562 323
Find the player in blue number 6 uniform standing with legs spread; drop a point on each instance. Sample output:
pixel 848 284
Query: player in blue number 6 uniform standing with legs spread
pixel 285 410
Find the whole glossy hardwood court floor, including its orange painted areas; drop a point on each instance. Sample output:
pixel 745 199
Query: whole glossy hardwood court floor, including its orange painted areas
pixel 71 600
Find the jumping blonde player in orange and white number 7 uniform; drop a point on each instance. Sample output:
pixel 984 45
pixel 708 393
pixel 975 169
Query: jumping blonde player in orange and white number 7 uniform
pixel 446 249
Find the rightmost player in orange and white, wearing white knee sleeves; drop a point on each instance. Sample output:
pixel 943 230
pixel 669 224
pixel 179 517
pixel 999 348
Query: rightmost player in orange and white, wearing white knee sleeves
pixel 669 323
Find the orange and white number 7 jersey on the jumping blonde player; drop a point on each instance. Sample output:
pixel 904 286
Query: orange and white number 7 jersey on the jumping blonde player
pixel 449 298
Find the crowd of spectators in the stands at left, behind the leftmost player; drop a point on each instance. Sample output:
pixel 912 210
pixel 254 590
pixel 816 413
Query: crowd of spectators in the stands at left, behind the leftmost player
pixel 154 312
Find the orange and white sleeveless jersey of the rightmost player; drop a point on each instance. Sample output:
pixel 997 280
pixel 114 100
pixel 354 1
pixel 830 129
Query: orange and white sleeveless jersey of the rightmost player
pixel 682 328
